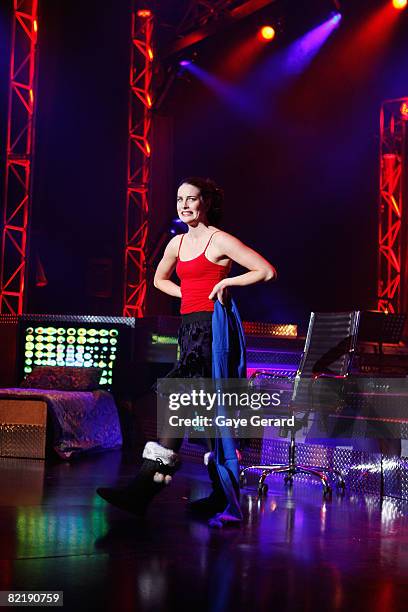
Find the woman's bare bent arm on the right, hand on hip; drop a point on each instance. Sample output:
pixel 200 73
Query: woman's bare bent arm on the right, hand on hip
pixel 260 270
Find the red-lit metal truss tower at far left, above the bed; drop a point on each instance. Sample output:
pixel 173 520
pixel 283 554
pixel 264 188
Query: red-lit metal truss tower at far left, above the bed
pixel 19 156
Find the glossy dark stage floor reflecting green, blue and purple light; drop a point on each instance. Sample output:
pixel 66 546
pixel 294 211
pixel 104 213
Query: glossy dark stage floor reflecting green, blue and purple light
pixel 295 551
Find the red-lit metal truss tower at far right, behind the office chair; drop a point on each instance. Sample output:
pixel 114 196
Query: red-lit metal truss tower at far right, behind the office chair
pixel 392 234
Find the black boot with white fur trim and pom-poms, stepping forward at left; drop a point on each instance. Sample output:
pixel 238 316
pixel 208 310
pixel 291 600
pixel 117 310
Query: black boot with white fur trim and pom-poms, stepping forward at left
pixel 159 465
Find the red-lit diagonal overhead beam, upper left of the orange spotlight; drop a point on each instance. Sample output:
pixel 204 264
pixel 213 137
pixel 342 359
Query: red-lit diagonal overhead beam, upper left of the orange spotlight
pixel 239 12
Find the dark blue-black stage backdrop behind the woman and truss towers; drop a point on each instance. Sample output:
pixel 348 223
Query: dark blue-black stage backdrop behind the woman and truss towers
pixel 300 174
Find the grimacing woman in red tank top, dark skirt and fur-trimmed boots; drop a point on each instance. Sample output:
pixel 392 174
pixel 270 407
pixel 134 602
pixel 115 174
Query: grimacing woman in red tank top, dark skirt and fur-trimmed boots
pixel 202 258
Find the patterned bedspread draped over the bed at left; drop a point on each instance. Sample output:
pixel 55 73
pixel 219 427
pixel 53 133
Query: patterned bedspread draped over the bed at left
pixel 82 420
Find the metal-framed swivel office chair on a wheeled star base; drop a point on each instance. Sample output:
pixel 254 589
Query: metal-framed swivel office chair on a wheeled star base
pixel 328 351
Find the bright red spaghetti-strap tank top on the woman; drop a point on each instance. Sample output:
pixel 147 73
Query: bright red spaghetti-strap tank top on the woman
pixel 197 279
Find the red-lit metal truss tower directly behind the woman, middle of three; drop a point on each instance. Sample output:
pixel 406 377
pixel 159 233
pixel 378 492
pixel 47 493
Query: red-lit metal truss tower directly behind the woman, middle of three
pixel 139 157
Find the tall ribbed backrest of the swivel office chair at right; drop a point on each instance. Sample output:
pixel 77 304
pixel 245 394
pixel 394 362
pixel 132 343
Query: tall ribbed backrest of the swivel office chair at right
pixel 330 343
